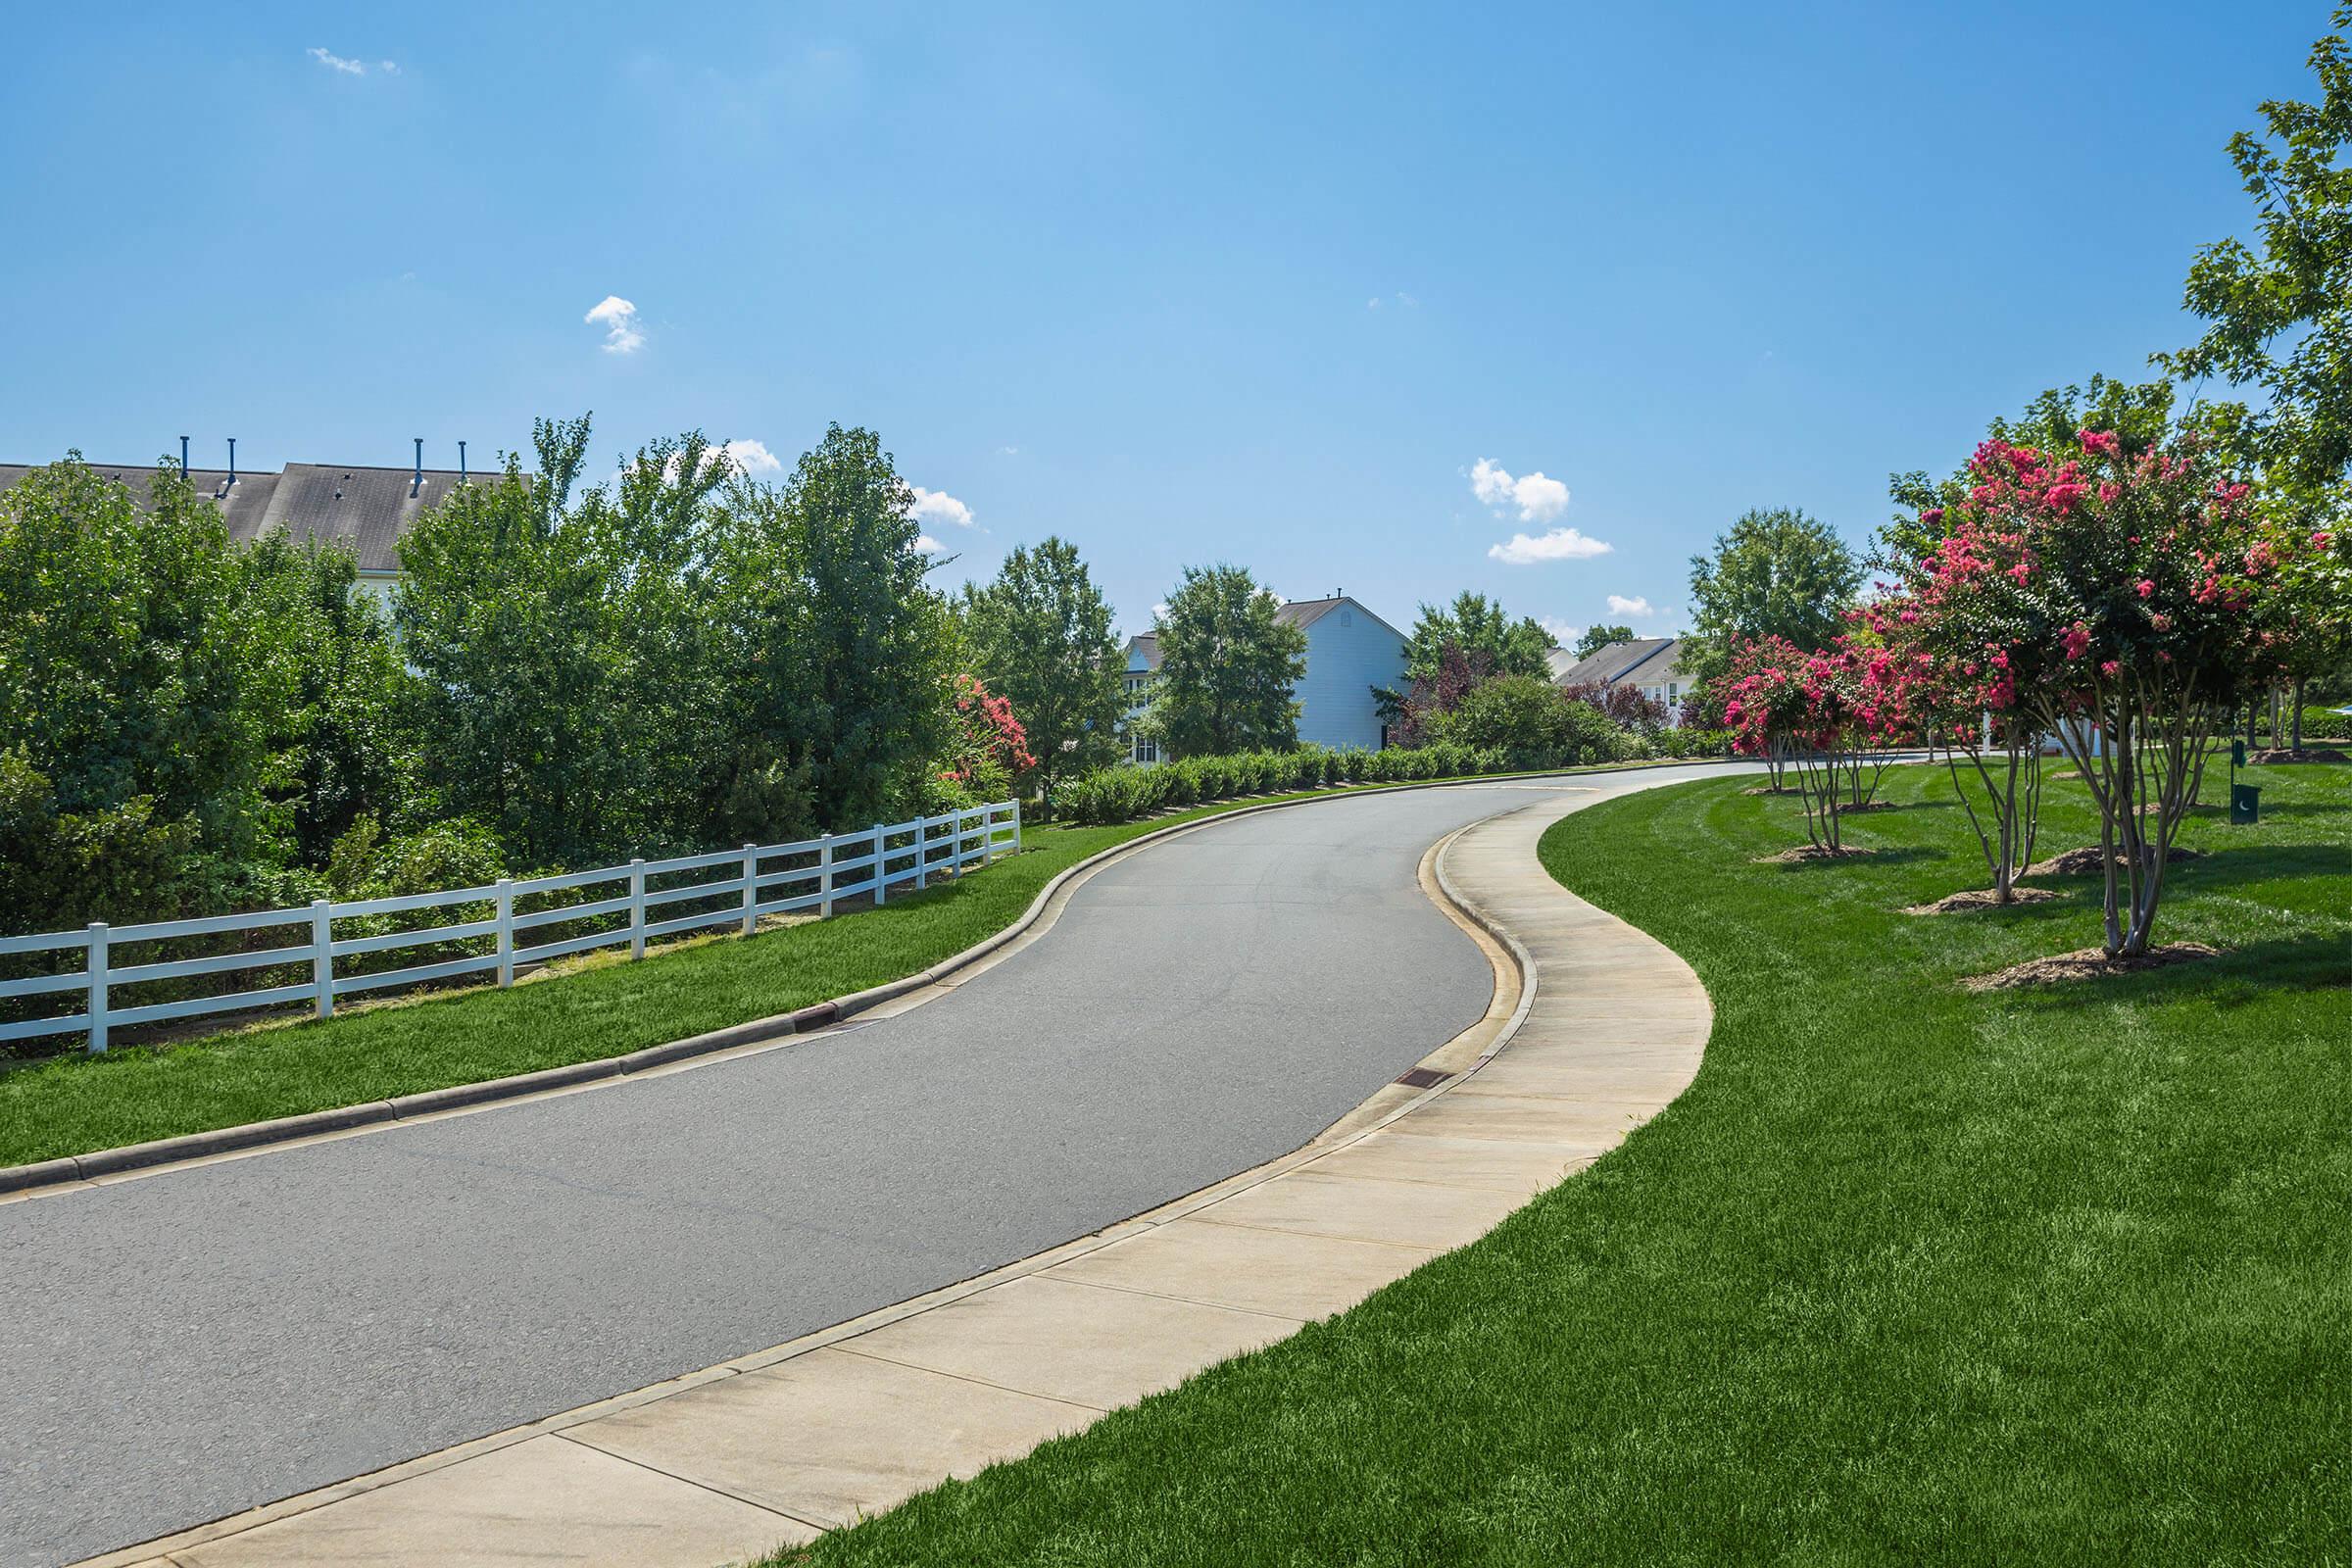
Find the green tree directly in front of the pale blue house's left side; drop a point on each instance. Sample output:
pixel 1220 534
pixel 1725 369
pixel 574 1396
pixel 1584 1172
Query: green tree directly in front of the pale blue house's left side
pixel 1227 666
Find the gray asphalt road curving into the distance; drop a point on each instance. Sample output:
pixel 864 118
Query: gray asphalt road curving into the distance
pixel 194 1343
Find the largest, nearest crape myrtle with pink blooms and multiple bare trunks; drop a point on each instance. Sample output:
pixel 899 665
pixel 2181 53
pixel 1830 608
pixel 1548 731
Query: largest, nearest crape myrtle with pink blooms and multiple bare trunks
pixel 2125 603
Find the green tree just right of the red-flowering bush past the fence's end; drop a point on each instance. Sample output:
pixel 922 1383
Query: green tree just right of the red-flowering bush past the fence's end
pixel 1041 636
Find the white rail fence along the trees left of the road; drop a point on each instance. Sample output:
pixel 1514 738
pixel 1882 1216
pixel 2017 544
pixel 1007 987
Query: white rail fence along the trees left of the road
pixel 749 885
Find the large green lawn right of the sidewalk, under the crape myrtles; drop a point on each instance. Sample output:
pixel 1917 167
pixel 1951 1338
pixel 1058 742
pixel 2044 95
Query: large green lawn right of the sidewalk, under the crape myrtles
pixel 1911 1273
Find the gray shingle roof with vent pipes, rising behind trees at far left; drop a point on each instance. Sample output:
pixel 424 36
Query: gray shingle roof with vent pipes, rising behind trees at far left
pixel 366 509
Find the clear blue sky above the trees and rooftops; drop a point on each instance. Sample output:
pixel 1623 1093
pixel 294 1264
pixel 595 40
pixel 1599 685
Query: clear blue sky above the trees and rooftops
pixel 1184 283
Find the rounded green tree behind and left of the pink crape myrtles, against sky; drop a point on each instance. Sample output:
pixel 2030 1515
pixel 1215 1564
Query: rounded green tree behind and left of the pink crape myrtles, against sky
pixel 1775 575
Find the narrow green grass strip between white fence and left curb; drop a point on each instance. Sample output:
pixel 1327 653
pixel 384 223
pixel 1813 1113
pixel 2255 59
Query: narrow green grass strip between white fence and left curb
pixel 606 1007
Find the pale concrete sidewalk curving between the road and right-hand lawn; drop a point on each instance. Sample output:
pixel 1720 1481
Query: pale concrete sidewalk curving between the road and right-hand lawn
pixel 1593 1031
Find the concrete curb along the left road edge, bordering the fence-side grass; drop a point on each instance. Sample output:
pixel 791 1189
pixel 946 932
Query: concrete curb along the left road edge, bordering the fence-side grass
pixel 79 1170
